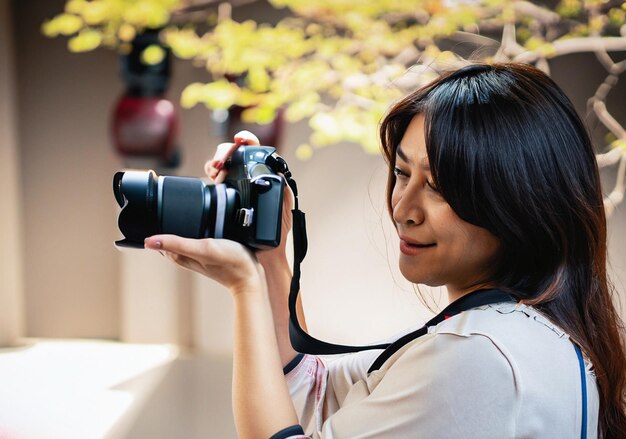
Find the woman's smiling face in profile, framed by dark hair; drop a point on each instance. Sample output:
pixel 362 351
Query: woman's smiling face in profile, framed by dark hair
pixel 436 246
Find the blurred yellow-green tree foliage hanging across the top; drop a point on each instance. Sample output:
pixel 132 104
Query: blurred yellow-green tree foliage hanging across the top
pixel 338 63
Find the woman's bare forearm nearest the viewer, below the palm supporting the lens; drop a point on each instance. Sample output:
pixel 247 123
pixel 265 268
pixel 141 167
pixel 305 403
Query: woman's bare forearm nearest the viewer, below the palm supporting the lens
pixel 261 402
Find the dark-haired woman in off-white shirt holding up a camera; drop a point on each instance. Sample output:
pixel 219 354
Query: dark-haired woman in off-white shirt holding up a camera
pixel 493 186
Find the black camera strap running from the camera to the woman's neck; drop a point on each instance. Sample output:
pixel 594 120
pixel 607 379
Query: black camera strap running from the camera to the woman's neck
pixel 305 343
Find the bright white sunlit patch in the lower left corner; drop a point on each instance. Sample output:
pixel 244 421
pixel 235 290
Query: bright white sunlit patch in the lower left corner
pixel 76 389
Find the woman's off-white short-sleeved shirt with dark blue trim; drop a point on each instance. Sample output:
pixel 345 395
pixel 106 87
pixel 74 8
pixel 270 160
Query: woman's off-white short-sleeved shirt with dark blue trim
pixel 497 371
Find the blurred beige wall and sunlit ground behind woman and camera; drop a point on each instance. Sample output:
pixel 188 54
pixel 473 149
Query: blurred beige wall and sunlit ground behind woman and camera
pixel 103 343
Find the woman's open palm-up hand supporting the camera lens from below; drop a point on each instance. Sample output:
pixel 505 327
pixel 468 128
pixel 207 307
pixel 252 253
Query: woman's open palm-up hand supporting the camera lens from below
pixel 225 261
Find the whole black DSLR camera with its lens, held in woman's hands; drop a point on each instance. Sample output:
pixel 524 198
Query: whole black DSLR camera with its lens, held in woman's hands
pixel 246 208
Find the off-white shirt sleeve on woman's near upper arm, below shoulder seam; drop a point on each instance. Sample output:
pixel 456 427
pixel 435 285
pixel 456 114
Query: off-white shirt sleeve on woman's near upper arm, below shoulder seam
pixel 441 386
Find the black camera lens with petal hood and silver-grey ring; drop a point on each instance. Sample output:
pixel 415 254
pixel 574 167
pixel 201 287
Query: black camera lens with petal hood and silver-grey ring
pixel 182 206
